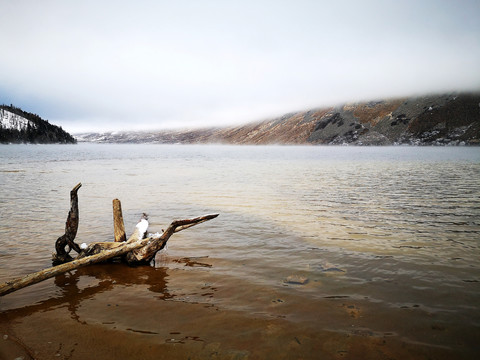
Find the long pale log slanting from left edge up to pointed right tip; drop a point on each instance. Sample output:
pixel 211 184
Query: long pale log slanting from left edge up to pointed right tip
pixel 123 248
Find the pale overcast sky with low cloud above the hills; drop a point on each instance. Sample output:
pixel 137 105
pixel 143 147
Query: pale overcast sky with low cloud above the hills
pixel 145 64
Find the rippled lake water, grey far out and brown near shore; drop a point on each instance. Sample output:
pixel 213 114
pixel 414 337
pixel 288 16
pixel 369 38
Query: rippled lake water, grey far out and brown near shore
pixel 318 252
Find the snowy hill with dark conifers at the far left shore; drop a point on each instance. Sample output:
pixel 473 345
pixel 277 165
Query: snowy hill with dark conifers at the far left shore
pixel 18 126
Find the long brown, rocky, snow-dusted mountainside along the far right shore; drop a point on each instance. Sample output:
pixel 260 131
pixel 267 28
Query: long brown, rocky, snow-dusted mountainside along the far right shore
pixel 452 119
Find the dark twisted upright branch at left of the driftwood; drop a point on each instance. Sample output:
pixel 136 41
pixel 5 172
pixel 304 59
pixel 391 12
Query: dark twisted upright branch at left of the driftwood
pixel 71 227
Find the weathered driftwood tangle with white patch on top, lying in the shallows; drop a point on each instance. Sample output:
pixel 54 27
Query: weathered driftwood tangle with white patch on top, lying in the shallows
pixel 138 249
